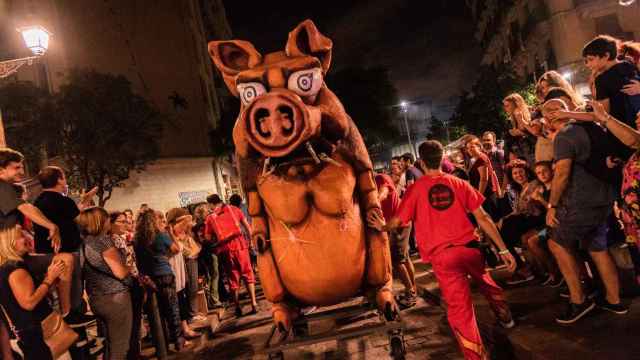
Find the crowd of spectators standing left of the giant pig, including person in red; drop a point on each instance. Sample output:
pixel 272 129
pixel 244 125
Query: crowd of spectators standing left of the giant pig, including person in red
pixel 103 266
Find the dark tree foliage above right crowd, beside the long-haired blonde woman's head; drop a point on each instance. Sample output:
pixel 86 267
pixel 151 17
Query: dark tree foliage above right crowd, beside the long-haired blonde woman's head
pixel 481 108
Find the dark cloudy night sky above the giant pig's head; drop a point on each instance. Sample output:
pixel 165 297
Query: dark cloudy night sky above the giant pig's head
pixel 429 50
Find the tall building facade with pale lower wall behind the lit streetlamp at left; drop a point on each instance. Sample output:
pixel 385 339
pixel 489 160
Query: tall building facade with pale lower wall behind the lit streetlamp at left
pixel 161 47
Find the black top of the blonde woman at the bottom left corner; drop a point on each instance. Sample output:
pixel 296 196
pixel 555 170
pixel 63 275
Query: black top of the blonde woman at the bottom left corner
pixel 22 319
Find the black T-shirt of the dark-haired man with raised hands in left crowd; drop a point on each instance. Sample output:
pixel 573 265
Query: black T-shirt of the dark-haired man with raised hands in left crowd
pixel 62 211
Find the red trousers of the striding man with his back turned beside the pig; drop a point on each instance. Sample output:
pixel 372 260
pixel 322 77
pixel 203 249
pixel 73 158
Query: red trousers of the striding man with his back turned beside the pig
pixel 451 267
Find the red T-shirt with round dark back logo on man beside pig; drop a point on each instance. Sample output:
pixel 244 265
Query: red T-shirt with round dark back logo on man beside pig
pixel 438 207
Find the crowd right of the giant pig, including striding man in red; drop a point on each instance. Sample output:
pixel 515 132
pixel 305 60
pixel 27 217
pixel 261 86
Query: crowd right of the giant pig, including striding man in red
pixel 562 190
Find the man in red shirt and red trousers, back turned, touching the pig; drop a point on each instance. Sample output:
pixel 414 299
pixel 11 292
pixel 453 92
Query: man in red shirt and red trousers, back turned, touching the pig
pixel 438 205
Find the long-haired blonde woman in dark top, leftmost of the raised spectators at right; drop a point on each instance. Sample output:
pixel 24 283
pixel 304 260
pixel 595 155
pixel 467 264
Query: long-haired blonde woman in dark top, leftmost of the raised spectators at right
pixel 521 142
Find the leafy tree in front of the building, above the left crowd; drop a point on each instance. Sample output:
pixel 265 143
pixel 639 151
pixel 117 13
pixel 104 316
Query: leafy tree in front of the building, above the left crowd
pixel 106 130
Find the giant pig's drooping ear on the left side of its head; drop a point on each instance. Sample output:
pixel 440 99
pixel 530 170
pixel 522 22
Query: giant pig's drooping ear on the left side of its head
pixel 233 56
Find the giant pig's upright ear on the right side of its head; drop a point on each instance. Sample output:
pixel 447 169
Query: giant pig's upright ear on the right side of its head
pixel 305 39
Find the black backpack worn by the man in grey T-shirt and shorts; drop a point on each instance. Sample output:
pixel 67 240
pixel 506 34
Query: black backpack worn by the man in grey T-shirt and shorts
pixel 601 149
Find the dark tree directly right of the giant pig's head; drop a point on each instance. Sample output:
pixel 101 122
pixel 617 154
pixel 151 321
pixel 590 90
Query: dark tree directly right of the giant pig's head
pixel 367 95
